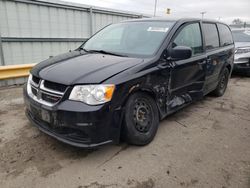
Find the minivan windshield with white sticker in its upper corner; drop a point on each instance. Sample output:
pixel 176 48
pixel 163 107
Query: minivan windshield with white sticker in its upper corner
pixel 130 38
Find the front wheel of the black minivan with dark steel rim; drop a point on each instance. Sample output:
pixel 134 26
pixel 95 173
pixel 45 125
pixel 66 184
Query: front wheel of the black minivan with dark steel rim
pixel 141 119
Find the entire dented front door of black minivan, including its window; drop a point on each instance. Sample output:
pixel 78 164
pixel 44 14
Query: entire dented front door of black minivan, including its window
pixel 187 76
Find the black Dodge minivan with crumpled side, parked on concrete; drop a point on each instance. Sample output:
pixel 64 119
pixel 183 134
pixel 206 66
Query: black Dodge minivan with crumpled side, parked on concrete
pixel 126 78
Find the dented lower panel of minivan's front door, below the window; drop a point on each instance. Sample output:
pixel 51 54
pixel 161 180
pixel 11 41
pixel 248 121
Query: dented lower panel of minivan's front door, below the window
pixel 187 79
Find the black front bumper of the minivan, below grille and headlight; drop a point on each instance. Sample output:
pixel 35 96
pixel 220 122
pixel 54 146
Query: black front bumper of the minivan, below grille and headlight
pixel 76 123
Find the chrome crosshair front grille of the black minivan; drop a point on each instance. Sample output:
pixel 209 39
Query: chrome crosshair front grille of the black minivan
pixel 46 92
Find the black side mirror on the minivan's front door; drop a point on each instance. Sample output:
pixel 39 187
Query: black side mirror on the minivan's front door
pixel 180 53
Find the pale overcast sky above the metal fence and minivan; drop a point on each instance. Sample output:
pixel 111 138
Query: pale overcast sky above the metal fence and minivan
pixel 225 10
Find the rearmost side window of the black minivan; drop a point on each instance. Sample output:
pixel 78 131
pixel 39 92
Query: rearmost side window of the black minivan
pixel 225 35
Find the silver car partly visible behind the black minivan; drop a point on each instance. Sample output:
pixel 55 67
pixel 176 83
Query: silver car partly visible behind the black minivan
pixel 242 51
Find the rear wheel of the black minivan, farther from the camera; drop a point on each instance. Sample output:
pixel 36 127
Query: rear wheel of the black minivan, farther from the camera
pixel 222 85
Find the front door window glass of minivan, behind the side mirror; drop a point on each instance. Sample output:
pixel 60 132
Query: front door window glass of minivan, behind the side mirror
pixel 190 36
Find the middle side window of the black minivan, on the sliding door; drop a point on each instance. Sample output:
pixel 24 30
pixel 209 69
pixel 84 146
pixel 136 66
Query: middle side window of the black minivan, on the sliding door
pixel 211 36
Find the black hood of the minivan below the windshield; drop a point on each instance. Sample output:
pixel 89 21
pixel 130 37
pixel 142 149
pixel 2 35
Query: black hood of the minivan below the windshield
pixel 78 67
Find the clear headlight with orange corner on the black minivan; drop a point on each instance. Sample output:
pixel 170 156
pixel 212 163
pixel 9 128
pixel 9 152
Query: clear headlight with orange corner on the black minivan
pixel 92 94
